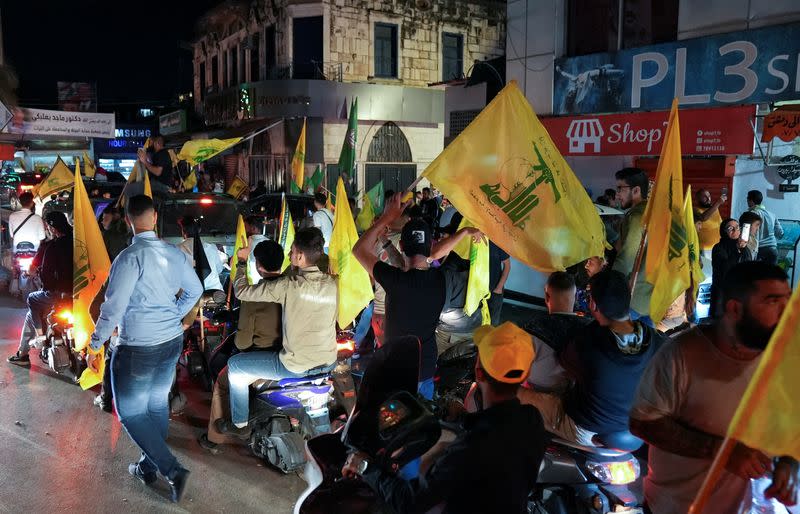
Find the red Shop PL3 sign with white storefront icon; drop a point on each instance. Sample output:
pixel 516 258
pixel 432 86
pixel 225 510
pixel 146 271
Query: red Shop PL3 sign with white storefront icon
pixel 724 131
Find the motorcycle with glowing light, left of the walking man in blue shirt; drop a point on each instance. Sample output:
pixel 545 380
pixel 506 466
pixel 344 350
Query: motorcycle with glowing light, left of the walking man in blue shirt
pixel 57 347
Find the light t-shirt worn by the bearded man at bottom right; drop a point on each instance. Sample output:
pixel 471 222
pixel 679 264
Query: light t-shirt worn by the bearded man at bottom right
pixel 693 382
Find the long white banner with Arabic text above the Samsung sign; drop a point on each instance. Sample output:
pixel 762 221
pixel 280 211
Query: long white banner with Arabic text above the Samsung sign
pixel 40 122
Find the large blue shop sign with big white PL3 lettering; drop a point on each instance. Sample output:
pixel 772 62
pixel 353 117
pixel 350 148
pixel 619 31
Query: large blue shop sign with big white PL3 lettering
pixel 747 67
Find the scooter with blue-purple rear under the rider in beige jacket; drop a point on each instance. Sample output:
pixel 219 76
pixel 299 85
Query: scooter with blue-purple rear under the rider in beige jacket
pixel 285 413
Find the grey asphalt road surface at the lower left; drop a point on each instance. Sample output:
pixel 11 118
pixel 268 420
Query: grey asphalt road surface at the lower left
pixel 60 453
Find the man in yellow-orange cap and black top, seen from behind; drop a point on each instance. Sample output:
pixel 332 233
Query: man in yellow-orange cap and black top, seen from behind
pixel 467 476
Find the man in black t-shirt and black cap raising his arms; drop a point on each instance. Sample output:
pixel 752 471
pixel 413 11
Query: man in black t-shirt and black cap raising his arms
pixel 415 296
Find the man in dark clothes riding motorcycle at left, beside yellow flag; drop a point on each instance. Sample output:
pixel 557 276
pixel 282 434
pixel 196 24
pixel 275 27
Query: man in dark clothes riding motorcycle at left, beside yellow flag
pixel 56 276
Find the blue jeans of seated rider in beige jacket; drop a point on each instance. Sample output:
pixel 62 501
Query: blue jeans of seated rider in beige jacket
pixel 246 368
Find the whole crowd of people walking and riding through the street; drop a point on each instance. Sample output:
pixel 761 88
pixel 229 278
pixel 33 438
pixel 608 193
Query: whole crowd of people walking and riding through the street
pixel 607 368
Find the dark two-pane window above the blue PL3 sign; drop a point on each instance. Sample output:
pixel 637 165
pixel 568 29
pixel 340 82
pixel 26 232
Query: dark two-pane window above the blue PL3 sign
pixel 592 25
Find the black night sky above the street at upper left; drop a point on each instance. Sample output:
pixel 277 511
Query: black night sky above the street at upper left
pixel 129 49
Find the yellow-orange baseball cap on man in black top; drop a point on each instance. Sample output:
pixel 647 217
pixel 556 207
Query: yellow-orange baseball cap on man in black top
pixel 506 352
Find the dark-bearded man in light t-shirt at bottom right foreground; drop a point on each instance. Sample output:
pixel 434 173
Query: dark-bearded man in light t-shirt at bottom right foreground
pixel 691 389
